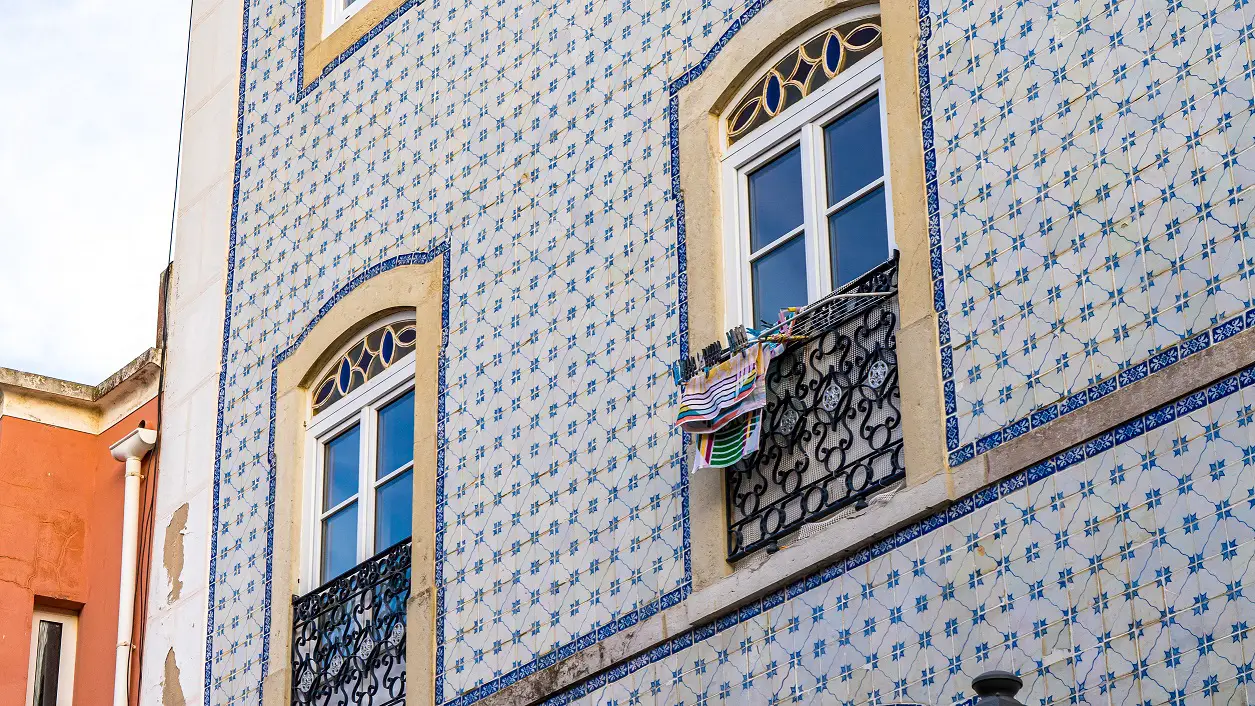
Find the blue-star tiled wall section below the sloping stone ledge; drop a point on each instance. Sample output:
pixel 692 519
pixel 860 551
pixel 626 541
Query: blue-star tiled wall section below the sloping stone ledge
pixel 1118 572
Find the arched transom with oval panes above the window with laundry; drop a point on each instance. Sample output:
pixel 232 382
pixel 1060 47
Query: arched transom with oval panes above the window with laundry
pixel 801 72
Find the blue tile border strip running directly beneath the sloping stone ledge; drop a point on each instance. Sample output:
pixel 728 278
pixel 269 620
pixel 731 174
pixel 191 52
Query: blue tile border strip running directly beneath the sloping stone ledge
pixel 961 508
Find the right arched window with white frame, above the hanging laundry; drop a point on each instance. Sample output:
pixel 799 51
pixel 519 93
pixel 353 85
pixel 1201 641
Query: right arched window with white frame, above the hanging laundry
pixel 808 203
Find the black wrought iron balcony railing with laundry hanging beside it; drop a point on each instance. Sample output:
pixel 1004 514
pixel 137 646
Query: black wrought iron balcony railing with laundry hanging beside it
pixel 831 432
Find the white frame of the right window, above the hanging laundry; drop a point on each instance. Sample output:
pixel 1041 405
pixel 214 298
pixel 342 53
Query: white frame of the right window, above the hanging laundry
pixel 801 125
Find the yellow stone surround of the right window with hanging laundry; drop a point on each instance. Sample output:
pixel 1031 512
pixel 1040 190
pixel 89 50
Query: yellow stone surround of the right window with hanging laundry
pixel 705 105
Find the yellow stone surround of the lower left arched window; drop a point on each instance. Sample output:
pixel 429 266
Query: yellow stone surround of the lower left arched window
pixel 407 289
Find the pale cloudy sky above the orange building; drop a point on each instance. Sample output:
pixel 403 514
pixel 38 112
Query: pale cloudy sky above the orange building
pixel 88 142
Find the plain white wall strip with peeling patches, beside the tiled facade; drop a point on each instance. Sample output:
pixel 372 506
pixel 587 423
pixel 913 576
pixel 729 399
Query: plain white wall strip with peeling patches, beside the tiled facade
pixel 195 313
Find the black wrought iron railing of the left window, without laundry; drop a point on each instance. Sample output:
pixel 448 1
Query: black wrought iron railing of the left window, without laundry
pixel 350 635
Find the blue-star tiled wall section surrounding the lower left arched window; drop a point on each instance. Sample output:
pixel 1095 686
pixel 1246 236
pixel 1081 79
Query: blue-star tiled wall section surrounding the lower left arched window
pixel 529 145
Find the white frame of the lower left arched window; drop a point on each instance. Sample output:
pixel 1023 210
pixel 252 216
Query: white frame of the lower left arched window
pixel 358 408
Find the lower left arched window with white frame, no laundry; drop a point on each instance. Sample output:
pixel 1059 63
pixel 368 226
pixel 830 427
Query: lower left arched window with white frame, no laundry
pixel 360 498
